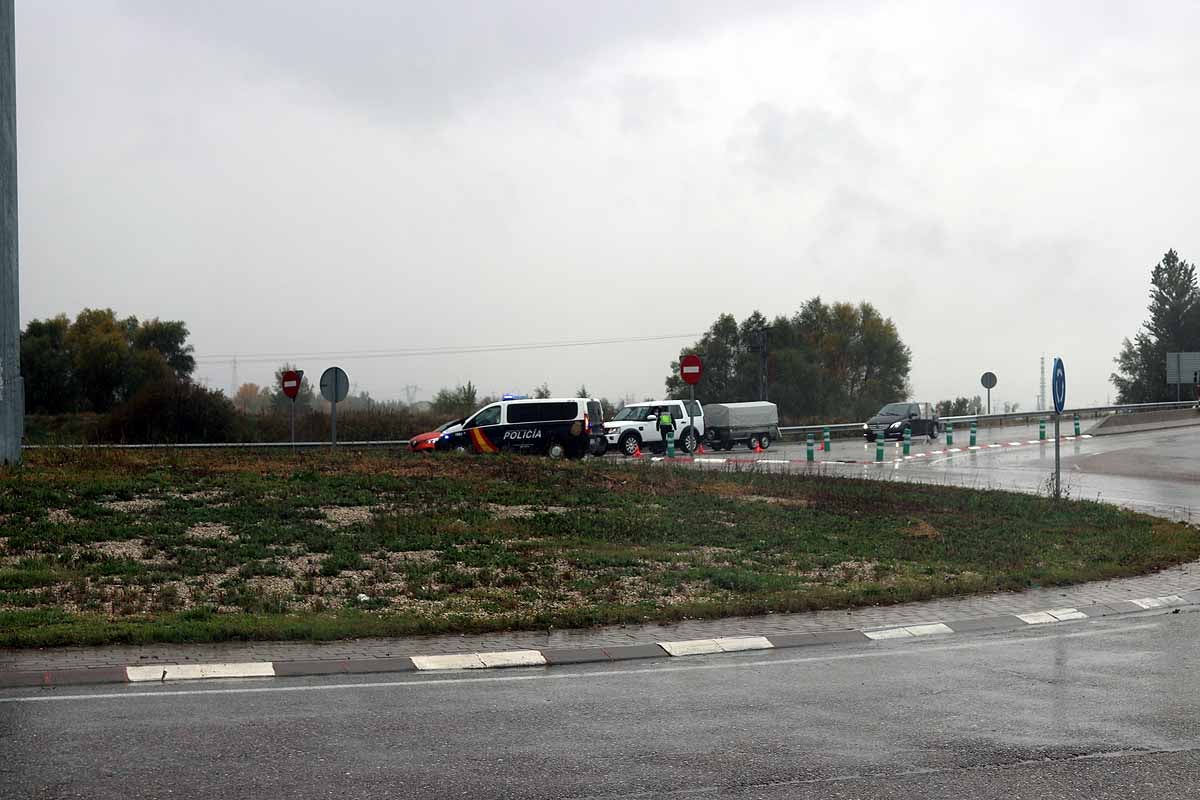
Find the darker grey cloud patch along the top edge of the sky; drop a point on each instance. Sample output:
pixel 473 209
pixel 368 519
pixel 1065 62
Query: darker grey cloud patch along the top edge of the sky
pixel 419 62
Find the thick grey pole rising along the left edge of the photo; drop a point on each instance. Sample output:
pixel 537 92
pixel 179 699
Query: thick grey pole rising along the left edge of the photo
pixel 13 392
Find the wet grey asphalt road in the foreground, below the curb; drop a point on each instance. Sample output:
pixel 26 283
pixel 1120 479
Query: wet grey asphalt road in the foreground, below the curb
pixel 1102 709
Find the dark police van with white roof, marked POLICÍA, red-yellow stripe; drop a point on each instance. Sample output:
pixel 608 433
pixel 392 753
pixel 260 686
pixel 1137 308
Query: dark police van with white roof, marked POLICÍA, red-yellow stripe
pixel 555 426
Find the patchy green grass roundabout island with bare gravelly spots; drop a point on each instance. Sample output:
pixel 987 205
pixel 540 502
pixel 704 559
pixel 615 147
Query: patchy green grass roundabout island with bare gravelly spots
pixel 106 548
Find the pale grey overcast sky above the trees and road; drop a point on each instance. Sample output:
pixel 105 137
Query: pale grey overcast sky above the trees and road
pixel 326 177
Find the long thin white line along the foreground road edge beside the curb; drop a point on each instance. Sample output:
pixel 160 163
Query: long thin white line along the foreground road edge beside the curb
pixel 664 669
